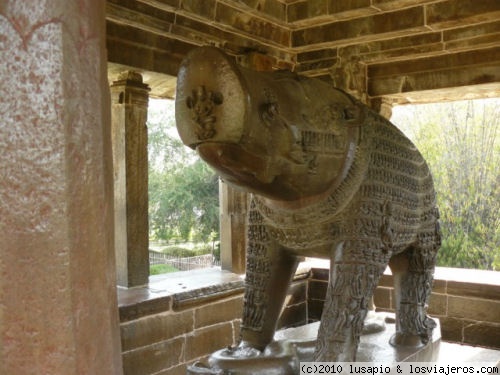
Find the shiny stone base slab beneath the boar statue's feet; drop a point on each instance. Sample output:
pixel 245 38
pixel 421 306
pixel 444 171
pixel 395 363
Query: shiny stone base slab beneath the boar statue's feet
pixel 295 345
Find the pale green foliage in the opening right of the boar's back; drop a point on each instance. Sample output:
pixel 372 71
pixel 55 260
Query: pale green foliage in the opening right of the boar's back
pixel 461 144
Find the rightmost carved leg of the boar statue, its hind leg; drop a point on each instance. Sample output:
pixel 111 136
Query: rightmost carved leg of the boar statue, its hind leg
pixel 413 272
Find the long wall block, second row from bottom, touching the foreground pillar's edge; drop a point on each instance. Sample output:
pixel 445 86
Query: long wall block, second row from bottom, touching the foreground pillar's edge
pixel 155 328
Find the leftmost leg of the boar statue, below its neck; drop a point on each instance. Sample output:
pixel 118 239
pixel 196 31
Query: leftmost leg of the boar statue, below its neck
pixel 270 269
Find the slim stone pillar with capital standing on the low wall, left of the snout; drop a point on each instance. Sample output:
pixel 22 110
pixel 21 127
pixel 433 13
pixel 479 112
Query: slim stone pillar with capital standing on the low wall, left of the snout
pixel 129 97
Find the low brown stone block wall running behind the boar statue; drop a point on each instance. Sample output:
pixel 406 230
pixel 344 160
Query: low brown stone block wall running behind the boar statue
pixel 162 333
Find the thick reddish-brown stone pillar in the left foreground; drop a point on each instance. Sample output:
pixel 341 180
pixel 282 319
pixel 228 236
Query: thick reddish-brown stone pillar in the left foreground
pixel 58 304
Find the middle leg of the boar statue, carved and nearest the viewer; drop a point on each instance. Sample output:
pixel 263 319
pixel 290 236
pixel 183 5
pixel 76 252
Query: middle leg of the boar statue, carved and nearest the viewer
pixel 352 282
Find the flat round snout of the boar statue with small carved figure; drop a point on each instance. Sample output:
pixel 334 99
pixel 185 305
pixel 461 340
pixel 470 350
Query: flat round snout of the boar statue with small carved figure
pixel 210 99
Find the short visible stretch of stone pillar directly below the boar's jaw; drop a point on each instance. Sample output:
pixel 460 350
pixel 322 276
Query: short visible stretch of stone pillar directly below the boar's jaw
pixel 233 212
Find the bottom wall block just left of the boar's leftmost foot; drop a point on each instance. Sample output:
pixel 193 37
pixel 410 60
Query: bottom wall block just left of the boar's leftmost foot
pixel 207 340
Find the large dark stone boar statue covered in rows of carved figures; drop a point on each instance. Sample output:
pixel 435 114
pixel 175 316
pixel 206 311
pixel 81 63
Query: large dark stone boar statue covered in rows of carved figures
pixel 329 178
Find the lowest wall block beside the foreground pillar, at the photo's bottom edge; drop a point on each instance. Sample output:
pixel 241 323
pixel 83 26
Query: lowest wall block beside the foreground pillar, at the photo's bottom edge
pixel 154 358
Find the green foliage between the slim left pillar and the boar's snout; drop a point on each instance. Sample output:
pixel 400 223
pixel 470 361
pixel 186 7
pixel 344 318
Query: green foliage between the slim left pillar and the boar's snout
pixel 183 190
